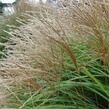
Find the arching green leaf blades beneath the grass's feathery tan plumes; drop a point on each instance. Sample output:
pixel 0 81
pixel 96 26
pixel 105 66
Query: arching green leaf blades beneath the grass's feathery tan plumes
pixel 85 88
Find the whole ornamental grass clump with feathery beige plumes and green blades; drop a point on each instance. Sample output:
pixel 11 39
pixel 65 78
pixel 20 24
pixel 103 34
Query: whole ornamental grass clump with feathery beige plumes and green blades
pixel 59 59
